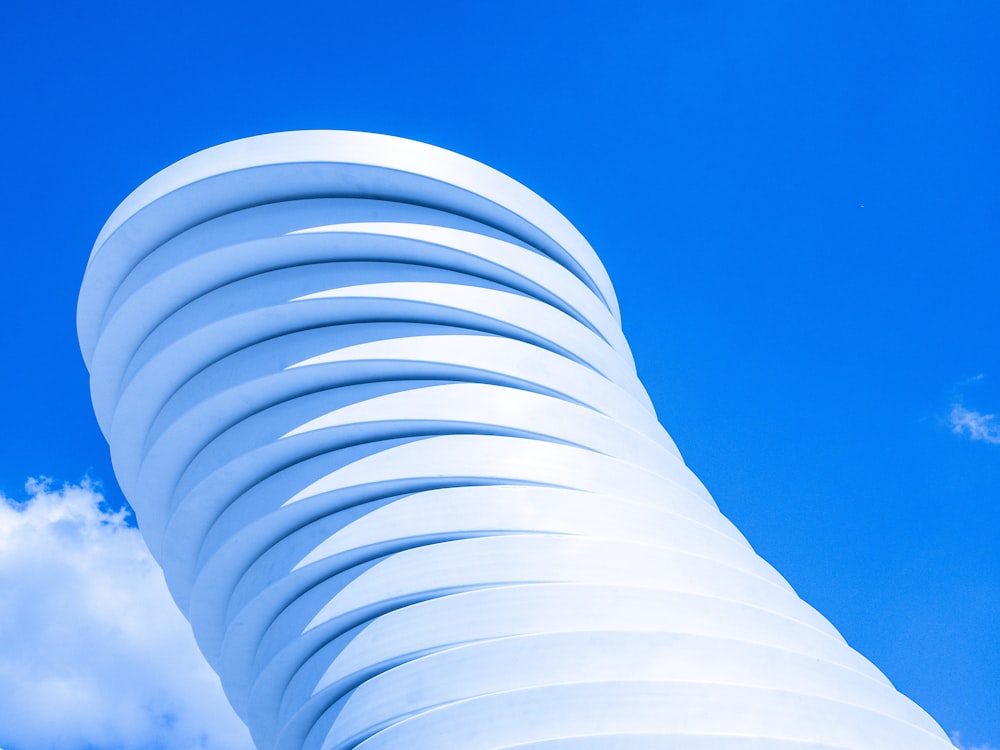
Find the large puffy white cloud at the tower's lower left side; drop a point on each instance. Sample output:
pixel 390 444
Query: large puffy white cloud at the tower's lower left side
pixel 93 652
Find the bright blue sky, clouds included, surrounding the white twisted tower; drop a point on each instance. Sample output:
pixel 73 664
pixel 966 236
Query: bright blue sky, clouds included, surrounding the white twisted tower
pixel 797 203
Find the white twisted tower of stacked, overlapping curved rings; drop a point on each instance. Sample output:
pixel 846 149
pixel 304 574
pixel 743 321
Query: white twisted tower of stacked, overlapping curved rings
pixel 373 407
